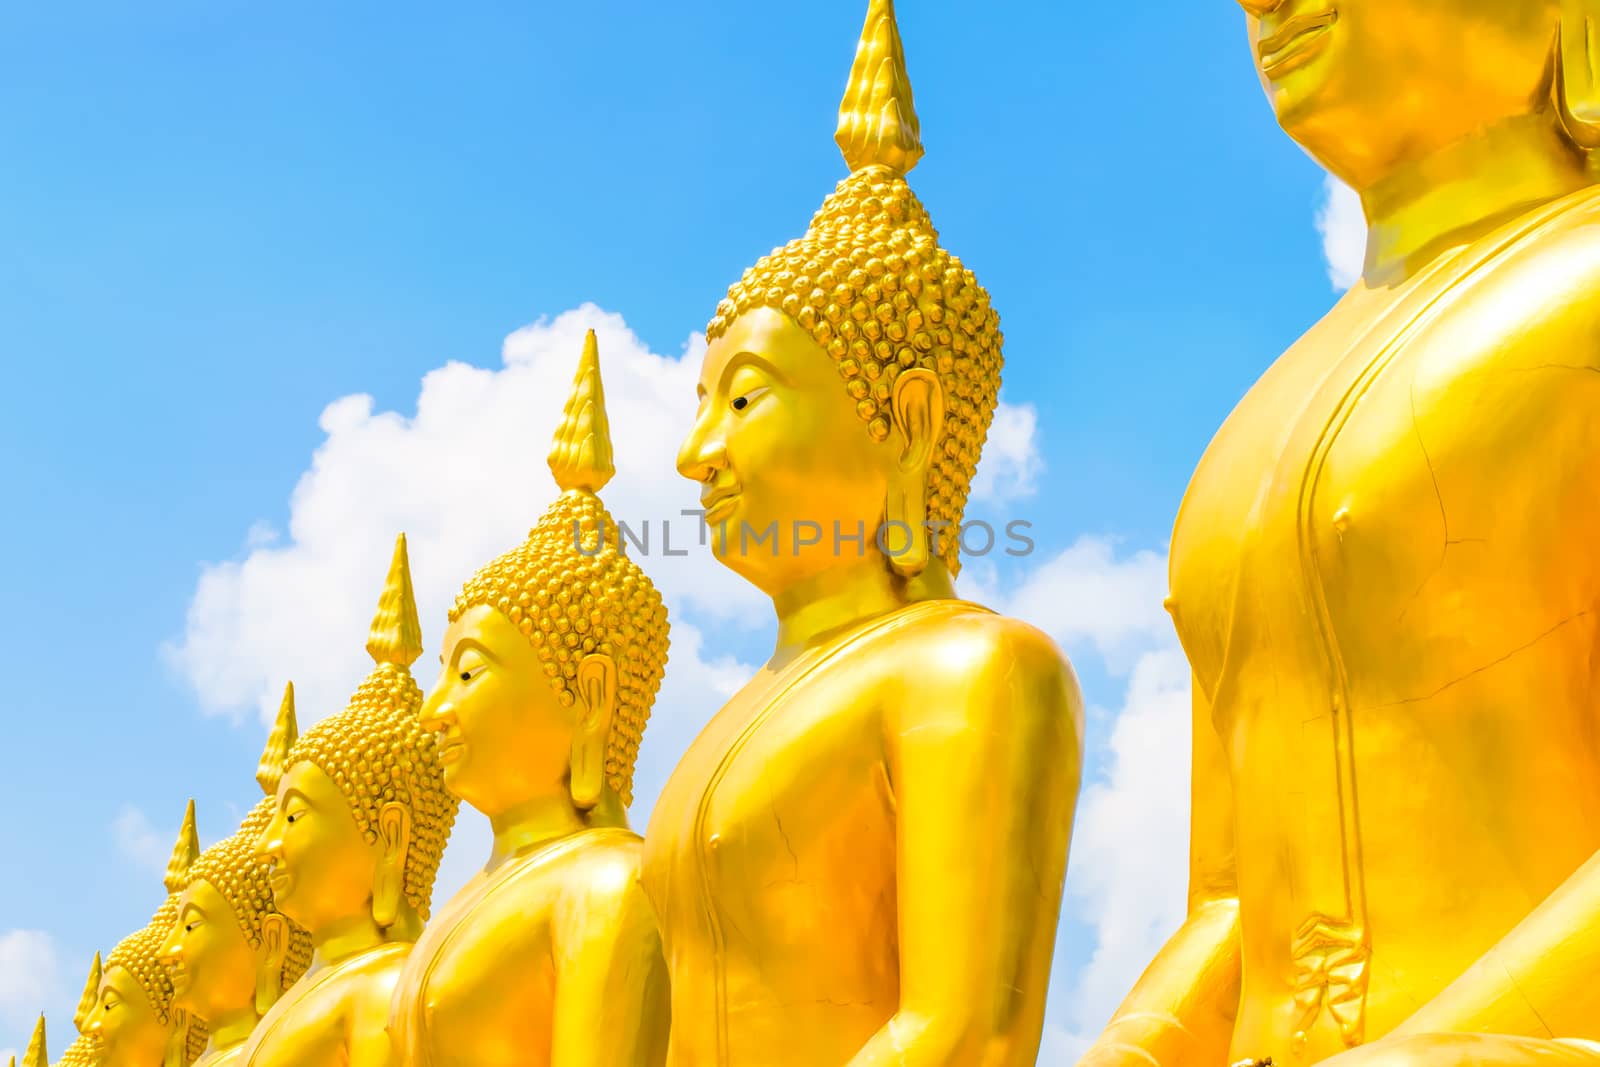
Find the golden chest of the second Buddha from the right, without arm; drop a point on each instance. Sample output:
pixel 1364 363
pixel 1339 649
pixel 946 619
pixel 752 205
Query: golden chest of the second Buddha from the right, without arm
pixel 772 860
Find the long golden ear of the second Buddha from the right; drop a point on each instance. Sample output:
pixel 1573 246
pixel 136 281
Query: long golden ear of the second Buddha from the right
pixel 918 410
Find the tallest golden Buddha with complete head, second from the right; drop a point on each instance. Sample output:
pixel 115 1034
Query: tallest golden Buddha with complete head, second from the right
pixel 860 860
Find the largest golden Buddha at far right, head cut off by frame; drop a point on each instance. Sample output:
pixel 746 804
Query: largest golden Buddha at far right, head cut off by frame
pixel 1386 581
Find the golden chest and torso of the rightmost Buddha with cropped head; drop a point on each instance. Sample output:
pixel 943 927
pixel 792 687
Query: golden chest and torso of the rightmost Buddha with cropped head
pixel 1385 577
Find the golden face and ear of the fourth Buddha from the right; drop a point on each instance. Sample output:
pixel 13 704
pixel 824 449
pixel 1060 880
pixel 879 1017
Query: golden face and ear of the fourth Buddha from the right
pixel 324 869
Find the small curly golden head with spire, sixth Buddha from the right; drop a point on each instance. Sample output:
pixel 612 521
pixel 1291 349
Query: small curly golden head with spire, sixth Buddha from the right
pixel 134 1021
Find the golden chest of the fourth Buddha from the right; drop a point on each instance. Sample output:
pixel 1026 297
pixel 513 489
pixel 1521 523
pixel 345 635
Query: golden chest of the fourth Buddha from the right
pixel 329 1012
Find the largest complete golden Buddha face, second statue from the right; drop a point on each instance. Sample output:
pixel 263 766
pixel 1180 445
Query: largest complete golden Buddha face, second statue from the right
pixel 782 455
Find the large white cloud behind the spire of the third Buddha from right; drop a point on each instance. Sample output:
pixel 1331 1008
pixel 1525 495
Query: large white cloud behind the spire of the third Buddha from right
pixel 465 479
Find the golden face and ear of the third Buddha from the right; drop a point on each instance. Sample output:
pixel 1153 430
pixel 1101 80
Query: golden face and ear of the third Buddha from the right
pixel 505 737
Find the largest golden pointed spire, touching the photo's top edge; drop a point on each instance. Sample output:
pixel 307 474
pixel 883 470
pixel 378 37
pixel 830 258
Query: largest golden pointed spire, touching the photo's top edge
pixel 878 122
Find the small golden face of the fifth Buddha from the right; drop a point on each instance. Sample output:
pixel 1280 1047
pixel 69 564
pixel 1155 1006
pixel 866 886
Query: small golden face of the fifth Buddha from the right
pixel 214 969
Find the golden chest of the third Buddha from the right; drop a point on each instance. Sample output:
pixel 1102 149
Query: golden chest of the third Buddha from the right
pixel 482 985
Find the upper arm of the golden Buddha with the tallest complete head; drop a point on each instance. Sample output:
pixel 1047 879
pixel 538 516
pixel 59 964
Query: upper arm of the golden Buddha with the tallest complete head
pixel 983 754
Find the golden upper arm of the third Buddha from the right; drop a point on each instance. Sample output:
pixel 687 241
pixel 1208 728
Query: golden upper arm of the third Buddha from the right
pixel 612 1002
